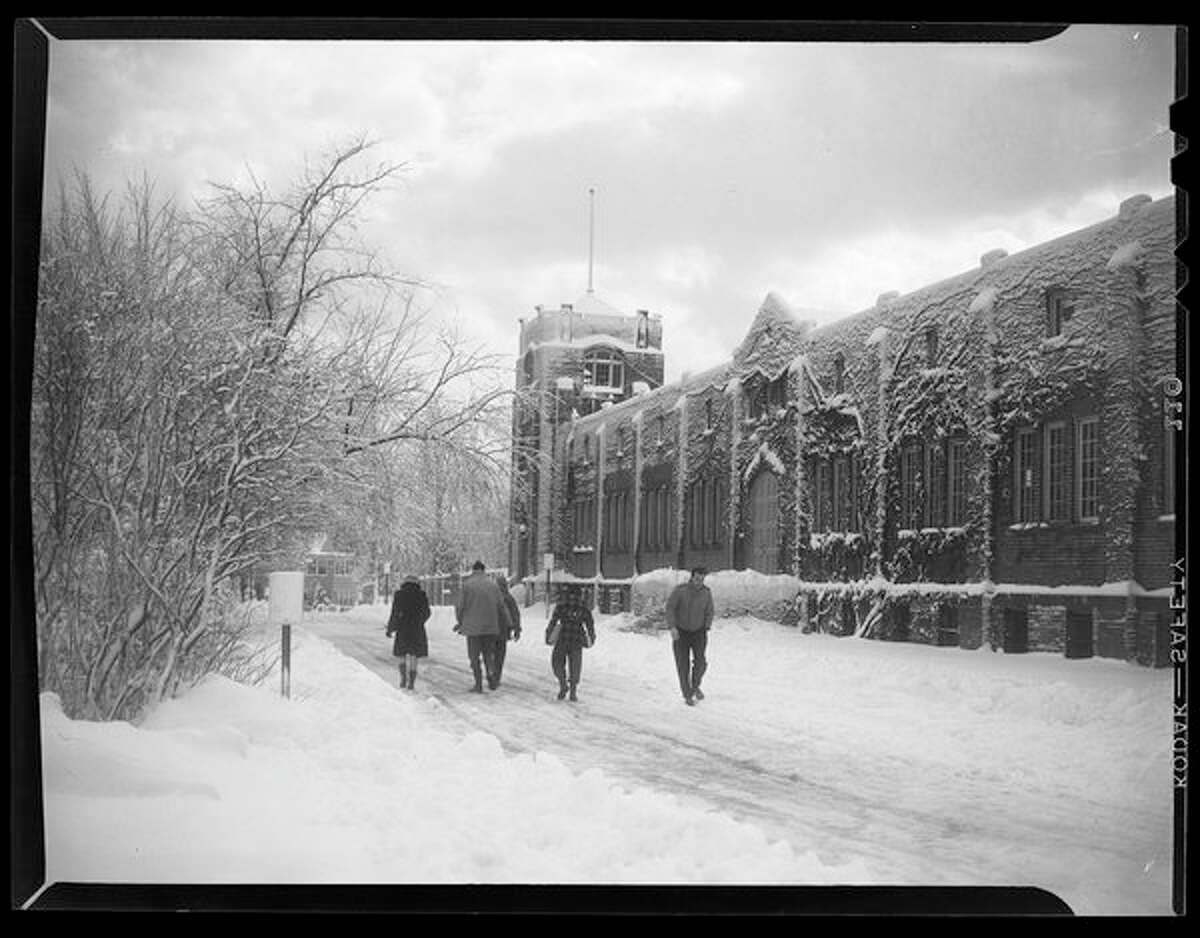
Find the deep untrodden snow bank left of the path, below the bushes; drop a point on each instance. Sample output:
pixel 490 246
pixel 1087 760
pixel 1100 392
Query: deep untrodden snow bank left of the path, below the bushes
pixel 346 783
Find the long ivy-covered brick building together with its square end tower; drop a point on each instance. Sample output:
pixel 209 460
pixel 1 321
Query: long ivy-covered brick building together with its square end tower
pixel 989 460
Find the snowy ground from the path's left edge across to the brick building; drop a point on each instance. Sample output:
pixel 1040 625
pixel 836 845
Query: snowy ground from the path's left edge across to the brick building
pixel 940 768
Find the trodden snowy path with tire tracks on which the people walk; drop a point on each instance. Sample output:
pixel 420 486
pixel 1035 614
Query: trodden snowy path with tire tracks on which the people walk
pixel 818 792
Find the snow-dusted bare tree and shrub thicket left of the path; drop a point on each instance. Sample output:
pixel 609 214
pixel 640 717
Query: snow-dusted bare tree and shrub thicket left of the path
pixel 208 388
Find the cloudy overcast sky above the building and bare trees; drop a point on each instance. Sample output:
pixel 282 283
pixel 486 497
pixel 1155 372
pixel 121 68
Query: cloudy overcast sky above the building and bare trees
pixel 829 173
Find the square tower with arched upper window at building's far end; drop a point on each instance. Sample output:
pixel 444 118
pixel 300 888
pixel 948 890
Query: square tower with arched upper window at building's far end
pixel 573 362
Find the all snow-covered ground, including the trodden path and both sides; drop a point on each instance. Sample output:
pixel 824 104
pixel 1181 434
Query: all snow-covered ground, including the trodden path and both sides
pixel 355 781
